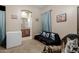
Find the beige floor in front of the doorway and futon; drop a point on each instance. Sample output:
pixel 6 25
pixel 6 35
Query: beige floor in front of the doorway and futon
pixel 27 46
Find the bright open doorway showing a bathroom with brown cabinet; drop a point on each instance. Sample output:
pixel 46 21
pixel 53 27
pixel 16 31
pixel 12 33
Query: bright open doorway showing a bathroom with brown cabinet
pixel 26 25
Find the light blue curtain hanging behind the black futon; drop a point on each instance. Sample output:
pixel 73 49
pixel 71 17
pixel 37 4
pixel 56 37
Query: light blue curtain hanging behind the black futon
pixel 46 21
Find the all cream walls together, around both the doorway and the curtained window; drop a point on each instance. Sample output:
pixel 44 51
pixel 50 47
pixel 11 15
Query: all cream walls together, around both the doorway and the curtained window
pixel 63 28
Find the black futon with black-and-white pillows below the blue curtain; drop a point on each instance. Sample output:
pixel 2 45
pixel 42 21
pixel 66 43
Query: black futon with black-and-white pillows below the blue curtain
pixel 48 38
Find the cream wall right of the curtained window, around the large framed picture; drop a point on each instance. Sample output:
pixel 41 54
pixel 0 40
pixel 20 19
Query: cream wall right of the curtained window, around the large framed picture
pixel 63 28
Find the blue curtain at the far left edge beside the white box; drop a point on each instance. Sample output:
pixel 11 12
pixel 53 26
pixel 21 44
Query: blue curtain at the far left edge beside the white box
pixel 2 26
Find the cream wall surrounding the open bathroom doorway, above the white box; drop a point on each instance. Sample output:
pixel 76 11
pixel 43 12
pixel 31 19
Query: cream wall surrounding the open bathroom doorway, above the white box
pixel 15 24
